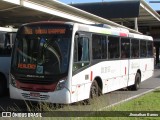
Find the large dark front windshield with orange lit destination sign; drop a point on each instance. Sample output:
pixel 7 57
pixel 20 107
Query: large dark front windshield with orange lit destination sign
pixel 42 49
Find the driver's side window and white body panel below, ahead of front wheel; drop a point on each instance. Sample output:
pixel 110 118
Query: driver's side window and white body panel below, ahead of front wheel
pixel 81 69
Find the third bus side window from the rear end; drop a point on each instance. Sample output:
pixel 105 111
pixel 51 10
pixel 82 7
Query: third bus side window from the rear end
pixel 134 48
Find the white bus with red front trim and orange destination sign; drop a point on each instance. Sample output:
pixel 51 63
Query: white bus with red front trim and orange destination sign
pixel 63 62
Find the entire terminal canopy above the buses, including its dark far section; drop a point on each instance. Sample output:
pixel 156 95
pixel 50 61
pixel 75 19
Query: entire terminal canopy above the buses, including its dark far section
pixel 121 13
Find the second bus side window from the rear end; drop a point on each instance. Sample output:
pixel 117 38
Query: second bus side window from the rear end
pixel 143 48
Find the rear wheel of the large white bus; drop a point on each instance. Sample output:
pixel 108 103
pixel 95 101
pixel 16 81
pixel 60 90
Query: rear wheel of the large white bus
pixel 136 85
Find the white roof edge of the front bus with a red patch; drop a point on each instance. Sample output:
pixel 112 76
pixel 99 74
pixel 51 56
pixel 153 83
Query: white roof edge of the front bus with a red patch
pixel 98 28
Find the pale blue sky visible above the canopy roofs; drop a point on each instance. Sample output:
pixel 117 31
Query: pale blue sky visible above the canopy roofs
pixel 155 6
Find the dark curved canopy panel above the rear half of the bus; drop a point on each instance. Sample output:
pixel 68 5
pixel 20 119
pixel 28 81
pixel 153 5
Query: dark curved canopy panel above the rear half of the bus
pixel 118 9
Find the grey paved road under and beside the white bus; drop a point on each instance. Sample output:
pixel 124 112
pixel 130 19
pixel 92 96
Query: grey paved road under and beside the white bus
pixel 101 103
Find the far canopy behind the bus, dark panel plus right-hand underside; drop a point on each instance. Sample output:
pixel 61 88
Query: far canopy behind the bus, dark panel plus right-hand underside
pixel 123 12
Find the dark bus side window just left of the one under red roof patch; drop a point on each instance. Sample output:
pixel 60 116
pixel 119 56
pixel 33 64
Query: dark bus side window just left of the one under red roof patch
pixel 113 47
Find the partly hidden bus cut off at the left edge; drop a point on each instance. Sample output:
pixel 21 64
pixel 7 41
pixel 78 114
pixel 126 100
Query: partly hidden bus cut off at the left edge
pixel 7 36
